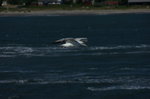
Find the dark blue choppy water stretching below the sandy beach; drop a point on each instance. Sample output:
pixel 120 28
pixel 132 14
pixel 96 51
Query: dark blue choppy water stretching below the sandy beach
pixel 115 65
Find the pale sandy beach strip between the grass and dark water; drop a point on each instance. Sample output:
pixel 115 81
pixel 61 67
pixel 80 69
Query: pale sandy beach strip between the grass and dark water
pixel 72 12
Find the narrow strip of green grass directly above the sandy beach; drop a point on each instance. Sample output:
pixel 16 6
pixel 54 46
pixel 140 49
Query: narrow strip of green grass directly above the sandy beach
pixel 73 7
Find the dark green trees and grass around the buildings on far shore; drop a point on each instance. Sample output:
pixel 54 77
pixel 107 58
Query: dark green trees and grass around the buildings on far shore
pixel 26 5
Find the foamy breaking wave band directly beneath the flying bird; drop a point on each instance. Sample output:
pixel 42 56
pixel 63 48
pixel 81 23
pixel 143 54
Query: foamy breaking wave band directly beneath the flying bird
pixel 15 51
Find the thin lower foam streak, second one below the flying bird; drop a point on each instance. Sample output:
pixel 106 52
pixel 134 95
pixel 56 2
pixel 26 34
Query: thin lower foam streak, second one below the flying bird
pixel 61 54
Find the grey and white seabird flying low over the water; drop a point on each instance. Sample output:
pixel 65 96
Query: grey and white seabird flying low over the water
pixel 71 42
